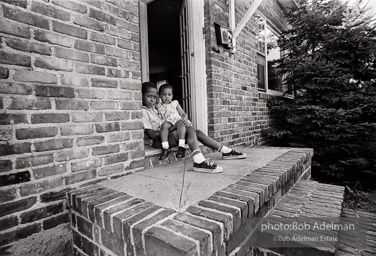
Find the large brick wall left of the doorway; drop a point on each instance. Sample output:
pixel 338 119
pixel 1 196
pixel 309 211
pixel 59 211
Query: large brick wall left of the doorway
pixel 70 104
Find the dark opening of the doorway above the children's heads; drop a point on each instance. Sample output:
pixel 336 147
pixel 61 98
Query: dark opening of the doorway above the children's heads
pixel 164 43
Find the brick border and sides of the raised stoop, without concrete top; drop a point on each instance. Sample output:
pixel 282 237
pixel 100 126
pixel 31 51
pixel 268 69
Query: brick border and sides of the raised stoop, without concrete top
pixel 106 221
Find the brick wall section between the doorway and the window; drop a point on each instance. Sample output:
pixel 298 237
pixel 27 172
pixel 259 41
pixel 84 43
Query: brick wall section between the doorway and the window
pixel 237 111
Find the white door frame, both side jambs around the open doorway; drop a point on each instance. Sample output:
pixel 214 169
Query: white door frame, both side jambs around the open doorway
pixel 198 65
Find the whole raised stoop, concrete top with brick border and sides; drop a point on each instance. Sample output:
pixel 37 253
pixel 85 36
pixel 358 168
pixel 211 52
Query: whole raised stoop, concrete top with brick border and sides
pixel 122 217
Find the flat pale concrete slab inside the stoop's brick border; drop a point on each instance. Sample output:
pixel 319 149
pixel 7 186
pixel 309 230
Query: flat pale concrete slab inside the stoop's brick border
pixel 176 187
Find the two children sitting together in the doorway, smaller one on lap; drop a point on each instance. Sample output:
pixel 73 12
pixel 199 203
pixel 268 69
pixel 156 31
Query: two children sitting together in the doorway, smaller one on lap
pixel 167 125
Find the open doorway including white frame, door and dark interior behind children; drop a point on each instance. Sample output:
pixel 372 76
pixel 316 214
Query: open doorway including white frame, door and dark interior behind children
pixel 173 51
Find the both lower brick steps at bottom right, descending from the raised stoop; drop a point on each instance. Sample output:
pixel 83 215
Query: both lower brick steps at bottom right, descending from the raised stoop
pixel 316 204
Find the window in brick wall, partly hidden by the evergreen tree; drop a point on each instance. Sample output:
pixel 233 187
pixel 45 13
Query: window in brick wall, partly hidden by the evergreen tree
pixel 267 52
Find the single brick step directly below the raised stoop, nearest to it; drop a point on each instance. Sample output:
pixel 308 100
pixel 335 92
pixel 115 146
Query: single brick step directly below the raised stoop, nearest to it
pixel 313 208
